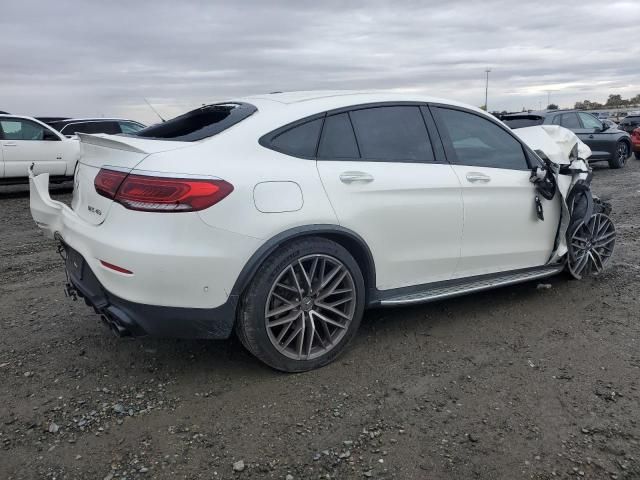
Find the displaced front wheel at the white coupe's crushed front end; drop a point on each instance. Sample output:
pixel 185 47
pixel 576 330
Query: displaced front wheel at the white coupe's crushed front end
pixel 591 246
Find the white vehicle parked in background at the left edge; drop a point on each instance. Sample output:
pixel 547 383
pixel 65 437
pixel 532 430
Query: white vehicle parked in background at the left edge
pixel 25 141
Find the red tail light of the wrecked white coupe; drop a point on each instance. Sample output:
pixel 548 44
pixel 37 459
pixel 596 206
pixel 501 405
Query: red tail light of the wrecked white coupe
pixel 161 194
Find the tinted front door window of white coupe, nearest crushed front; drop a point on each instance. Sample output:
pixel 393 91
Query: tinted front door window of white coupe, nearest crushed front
pixel 479 142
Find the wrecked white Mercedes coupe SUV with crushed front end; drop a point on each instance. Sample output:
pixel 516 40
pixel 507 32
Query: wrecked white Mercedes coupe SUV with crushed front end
pixel 284 216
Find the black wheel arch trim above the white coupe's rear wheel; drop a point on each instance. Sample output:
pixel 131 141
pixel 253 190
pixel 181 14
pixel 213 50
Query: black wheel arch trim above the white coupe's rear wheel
pixel 350 240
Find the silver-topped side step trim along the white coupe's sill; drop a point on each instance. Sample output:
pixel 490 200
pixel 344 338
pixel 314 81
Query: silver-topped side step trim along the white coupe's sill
pixel 438 293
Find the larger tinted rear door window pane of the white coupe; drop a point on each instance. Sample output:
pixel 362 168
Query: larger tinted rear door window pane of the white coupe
pixel 395 133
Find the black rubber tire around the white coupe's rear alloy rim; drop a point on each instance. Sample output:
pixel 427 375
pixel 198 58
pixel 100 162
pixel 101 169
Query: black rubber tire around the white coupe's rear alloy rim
pixel 251 325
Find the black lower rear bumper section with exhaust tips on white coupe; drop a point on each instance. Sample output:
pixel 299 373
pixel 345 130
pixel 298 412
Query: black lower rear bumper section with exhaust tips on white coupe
pixel 130 318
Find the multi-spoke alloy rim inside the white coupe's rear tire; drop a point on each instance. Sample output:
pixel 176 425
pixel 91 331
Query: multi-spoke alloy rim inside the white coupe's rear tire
pixel 310 306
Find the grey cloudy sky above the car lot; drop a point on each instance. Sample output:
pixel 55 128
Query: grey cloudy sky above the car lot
pixel 102 58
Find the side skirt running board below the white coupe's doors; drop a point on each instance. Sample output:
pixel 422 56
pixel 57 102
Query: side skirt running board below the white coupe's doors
pixel 453 288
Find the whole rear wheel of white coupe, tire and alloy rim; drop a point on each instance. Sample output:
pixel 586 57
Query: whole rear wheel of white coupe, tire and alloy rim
pixel 303 306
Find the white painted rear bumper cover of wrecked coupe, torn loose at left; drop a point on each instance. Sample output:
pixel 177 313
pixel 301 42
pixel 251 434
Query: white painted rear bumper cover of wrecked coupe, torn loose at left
pixel 173 260
